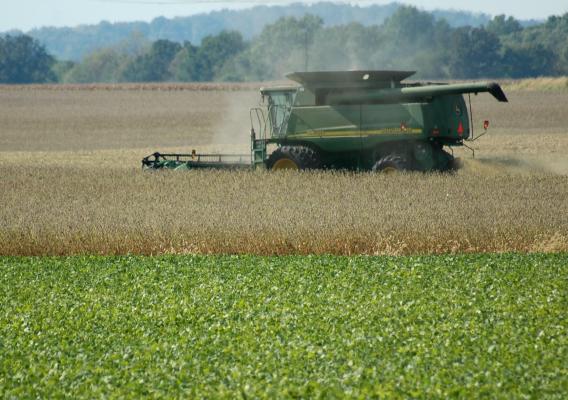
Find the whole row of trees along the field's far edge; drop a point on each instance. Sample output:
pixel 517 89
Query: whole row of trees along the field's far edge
pixel 409 39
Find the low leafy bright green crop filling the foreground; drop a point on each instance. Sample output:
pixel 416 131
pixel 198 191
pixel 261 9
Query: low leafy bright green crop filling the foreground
pixel 478 326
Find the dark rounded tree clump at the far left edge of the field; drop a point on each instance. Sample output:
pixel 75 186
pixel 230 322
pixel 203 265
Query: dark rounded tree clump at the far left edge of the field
pixel 24 60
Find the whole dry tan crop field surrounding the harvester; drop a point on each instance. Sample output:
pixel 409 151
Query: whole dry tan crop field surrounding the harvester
pixel 72 182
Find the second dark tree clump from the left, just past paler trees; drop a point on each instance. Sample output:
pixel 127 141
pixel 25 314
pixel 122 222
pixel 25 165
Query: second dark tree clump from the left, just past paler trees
pixel 154 66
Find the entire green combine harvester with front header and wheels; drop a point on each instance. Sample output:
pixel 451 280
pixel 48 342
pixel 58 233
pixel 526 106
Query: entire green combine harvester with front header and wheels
pixel 355 120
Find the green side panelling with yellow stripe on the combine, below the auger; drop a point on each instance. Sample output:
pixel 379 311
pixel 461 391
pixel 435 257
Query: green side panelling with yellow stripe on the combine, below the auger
pixel 361 128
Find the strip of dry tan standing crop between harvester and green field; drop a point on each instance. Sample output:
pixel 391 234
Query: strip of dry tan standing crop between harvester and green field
pixel 64 211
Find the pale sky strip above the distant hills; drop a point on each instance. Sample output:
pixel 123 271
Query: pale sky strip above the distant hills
pixel 27 14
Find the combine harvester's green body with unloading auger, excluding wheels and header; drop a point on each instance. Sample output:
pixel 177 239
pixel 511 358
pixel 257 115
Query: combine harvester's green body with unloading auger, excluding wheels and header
pixel 345 116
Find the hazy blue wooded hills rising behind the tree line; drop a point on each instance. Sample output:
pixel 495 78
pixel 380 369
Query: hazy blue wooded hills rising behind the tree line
pixel 76 43
